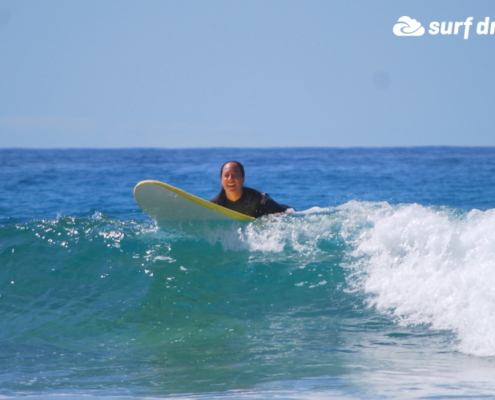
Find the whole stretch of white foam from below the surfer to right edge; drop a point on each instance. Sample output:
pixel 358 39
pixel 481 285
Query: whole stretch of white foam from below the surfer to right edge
pixel 422 265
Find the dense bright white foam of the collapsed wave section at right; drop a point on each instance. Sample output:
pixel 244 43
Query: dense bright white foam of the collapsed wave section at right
pixel 428 266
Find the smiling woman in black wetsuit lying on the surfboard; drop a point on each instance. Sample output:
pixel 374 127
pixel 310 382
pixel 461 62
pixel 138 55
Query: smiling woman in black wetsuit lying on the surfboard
pixel 235 196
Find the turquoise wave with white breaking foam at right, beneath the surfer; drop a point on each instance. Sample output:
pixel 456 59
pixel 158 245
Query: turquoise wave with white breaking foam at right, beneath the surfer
pixel 88 281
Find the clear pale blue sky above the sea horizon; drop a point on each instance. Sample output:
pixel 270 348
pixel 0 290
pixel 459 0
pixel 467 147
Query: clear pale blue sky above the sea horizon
pixel 246 73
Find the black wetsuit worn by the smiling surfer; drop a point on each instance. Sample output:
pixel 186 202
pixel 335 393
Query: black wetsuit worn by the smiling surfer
pixel 252 203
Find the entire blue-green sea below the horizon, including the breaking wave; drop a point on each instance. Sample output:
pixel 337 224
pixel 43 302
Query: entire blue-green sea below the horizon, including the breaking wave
pixel 380 286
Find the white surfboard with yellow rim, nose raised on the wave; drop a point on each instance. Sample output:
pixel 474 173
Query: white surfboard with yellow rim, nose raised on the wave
pixel 164 202
